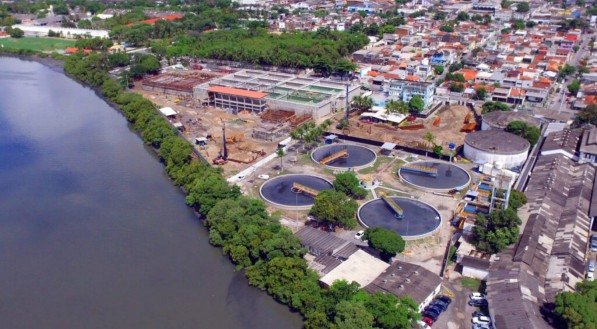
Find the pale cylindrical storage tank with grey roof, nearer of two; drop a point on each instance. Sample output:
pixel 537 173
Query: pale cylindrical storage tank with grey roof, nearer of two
pixel 497 147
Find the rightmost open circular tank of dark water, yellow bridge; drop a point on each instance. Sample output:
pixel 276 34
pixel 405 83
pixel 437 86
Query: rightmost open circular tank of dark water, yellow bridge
pixel 443 177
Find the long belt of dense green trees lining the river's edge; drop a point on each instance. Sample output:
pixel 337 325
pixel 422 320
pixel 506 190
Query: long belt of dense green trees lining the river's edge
pixel 254 240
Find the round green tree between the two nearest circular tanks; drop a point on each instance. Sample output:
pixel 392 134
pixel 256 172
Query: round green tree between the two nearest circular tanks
pixel 335 208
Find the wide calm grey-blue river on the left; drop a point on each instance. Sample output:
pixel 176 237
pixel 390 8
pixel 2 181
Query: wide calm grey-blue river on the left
pixel 92 232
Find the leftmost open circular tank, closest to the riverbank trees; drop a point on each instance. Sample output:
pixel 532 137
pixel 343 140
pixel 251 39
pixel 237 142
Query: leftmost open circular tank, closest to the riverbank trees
pixel 279 191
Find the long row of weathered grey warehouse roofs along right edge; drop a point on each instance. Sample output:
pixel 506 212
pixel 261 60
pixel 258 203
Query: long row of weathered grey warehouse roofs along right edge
pixel 550 256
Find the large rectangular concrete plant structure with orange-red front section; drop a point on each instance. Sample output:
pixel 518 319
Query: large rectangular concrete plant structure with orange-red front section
pixel 257 91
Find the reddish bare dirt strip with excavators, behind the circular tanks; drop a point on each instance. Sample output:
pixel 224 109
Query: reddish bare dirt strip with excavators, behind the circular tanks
pixel 448 131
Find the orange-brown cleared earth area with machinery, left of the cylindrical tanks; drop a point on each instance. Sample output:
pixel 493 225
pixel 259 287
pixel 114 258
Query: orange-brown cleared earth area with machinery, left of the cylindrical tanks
pixel 450 124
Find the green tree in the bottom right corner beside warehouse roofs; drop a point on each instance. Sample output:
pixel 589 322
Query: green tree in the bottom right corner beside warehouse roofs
pixel 578 309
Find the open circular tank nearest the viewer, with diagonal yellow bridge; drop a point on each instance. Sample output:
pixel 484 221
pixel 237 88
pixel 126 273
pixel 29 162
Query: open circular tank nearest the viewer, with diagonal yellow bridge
pixel 418 220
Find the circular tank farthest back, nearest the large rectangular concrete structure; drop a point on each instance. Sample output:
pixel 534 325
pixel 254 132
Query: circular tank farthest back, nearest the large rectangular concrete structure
pixel 357 157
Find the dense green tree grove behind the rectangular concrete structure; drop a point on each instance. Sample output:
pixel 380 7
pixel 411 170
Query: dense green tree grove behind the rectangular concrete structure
pixel 323 50
